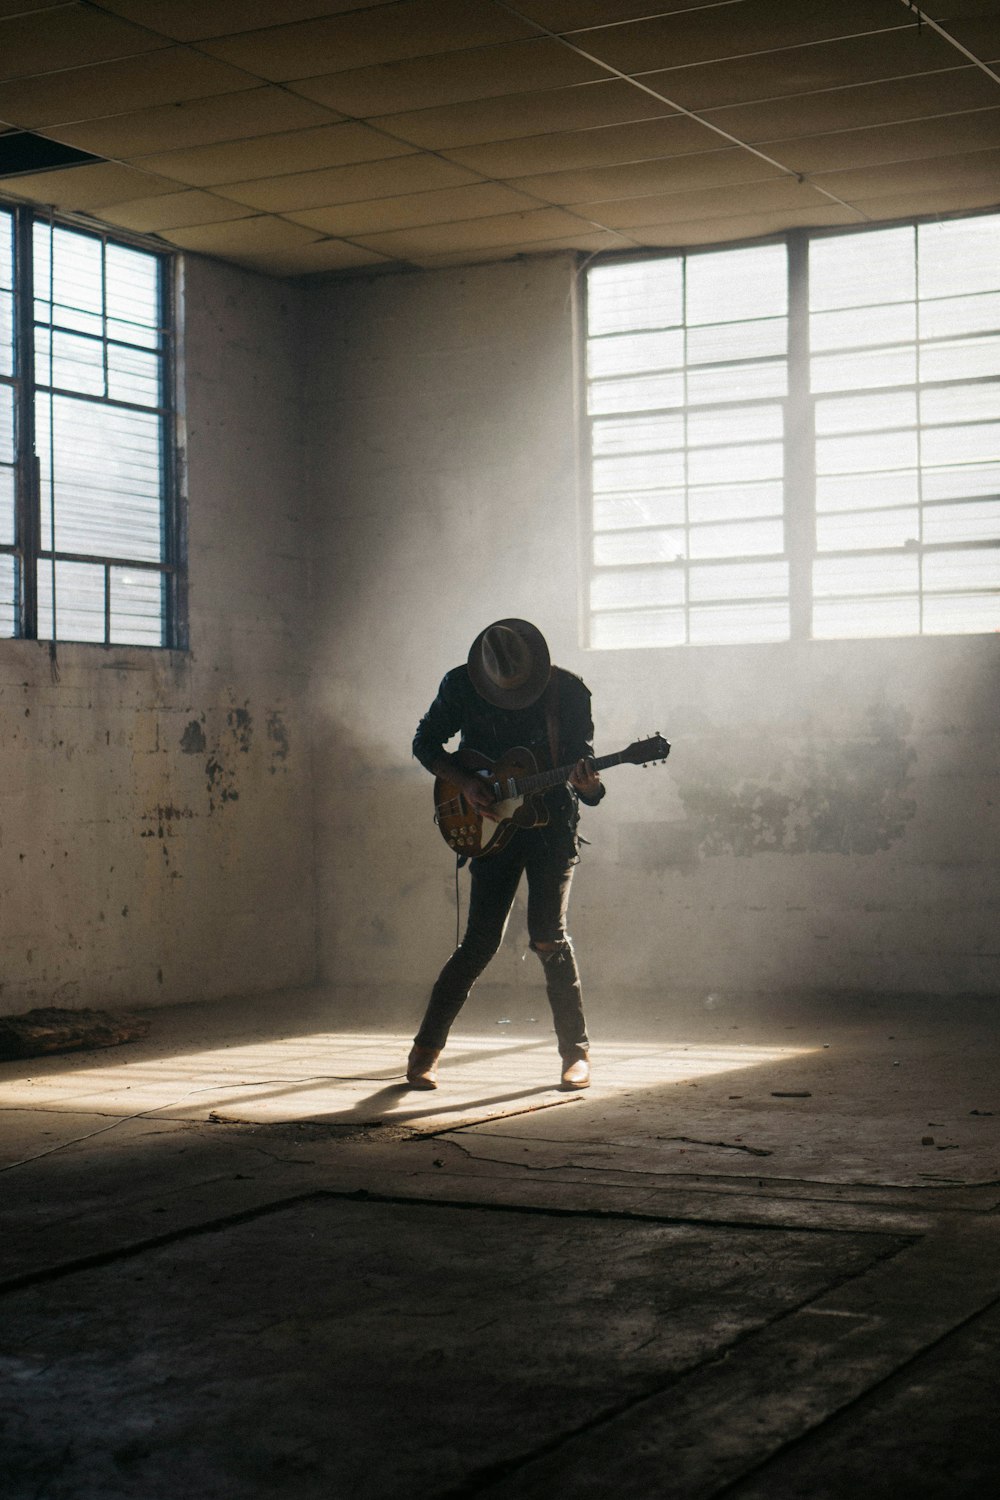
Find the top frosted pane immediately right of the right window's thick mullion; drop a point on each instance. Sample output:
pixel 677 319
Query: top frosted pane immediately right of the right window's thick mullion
pixel 855 271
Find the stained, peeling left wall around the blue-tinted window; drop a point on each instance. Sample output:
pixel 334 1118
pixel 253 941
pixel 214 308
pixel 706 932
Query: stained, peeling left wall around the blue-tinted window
pixel 155 809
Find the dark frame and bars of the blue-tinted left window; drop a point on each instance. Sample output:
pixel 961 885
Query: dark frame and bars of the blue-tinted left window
pixel 28 551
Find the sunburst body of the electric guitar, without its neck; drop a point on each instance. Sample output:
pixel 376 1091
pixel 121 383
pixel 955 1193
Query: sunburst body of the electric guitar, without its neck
pixel 464 827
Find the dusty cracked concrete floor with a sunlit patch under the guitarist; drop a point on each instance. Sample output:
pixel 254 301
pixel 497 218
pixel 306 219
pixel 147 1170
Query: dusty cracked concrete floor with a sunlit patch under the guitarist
pixel 759 1258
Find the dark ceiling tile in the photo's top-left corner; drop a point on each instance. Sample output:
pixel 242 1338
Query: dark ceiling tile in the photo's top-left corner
pixel 71 37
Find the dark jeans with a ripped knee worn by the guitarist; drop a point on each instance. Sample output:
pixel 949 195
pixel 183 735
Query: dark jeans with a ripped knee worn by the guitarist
pixel 548 857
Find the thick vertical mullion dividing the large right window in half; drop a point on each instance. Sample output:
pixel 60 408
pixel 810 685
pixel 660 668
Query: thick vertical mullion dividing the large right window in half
pixel 800 481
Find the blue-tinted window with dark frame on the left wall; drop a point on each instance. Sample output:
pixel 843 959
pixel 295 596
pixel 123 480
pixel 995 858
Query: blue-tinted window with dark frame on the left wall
pixel 89 547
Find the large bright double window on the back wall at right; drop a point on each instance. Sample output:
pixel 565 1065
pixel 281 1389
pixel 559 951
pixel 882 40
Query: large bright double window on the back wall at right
pixel 798 439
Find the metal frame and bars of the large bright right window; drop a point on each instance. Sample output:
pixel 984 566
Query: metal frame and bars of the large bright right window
pixel 800 479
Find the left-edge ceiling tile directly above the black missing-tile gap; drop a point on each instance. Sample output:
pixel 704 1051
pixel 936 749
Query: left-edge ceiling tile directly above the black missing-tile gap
pixel 85 94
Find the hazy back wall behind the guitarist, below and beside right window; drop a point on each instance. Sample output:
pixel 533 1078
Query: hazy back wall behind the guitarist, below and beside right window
pixel 828 820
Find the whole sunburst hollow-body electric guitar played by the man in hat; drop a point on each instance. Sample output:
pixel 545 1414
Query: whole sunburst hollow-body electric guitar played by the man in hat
pixel 515 784
